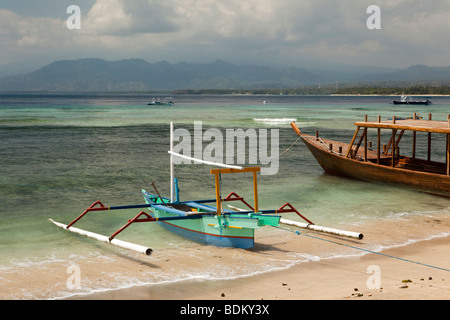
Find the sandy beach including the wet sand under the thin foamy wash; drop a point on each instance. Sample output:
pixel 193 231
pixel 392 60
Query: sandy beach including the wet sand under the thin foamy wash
pixel 417 269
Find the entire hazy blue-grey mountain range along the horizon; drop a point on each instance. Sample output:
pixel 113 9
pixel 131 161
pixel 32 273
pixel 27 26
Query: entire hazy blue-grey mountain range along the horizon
pixel 97 75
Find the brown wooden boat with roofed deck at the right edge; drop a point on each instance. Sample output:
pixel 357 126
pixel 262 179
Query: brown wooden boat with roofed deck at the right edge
pixel 386 164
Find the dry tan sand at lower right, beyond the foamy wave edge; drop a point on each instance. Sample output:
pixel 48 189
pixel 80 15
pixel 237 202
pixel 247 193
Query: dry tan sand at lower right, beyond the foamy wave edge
pixel 334 279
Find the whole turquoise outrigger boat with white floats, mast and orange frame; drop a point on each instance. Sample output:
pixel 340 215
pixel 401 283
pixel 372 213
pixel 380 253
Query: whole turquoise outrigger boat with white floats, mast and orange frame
pixel 198 221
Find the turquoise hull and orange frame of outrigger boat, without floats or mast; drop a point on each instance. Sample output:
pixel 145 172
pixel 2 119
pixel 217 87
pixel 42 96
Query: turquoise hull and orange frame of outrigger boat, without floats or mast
pixel 212 225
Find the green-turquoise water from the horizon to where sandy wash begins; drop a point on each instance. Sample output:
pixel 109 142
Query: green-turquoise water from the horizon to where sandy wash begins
pixel 60 153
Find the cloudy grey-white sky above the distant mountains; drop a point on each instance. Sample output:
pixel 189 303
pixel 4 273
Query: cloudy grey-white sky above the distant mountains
pixel 299 33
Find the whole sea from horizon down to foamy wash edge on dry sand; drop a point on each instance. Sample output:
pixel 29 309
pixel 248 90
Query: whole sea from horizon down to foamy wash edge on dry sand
pixel 61 152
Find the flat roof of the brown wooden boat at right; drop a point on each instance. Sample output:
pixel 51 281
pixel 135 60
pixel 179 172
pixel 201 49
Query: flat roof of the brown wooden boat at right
pixel 409 124
